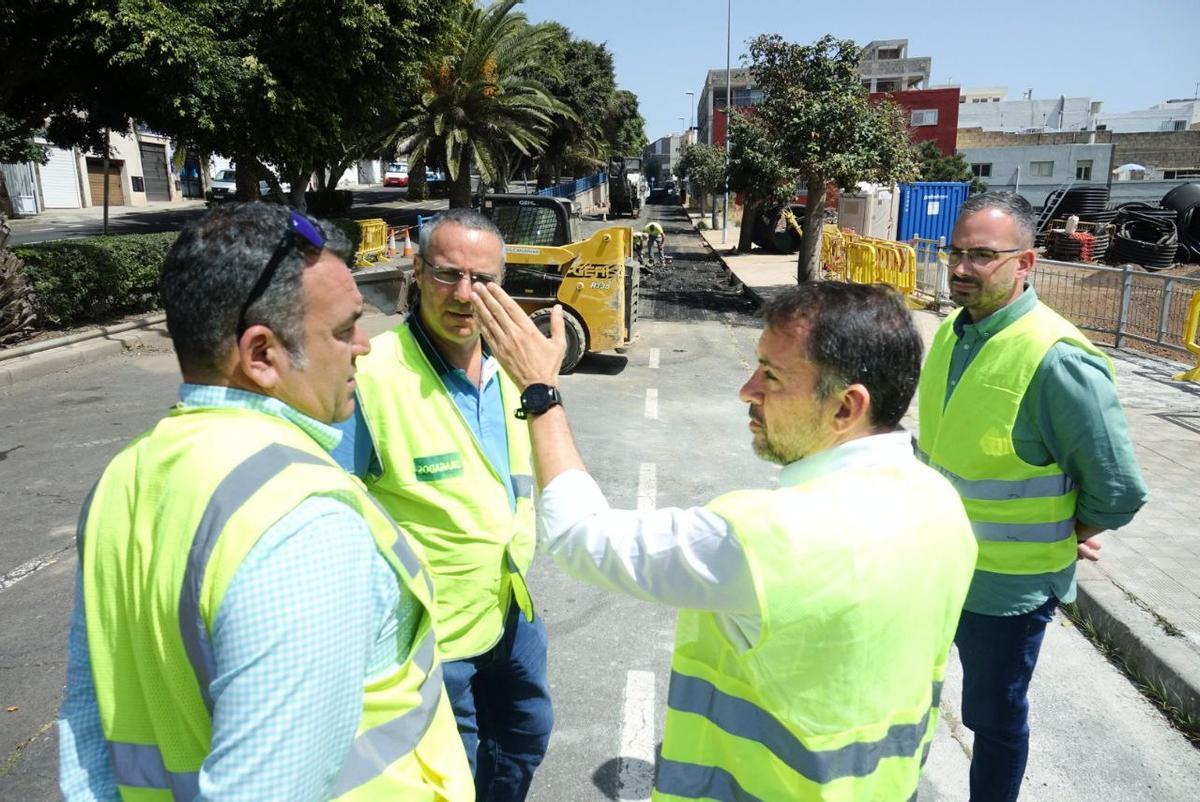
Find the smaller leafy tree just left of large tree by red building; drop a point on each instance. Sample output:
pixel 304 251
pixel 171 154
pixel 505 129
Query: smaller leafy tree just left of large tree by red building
pixel 757 170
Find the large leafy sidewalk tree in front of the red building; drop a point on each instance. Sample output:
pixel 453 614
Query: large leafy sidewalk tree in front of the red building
pixel 814 103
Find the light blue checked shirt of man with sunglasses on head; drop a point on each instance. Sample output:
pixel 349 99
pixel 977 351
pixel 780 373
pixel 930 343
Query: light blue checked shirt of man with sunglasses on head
pixel 313 614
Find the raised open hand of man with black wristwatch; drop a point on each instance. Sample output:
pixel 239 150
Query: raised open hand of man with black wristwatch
pixel 527 357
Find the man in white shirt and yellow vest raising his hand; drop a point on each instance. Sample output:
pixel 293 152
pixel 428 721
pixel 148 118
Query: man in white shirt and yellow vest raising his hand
pixel 815 619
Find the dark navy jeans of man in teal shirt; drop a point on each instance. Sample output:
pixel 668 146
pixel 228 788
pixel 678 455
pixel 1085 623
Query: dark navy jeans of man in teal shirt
pixel 999 655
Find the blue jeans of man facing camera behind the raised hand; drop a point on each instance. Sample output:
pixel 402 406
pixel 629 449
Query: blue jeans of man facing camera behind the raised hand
pixel 502 703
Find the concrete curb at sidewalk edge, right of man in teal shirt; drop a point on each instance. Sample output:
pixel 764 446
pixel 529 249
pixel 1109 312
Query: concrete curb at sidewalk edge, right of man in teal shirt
pixel 1156 657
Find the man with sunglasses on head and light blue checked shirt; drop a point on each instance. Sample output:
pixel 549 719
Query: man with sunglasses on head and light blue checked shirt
pixel 248 625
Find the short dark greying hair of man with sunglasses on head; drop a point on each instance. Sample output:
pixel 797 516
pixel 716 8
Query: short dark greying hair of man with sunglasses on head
pixel 209 273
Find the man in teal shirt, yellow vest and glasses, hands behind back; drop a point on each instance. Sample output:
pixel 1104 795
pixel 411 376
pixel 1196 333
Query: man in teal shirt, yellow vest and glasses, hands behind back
pixel 1021 412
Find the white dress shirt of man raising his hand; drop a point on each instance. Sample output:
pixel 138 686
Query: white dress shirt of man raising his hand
pixel 680 558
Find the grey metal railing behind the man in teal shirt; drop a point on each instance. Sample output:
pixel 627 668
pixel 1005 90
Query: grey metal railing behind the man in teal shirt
pixel 1124 306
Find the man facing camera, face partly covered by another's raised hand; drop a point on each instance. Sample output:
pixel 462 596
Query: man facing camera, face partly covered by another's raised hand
pixel 437 441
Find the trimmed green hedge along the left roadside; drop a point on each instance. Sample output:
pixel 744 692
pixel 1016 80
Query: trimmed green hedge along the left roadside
pixel 95 279
